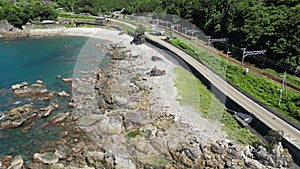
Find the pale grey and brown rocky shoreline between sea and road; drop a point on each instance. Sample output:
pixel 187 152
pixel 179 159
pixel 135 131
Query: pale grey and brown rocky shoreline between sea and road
pixel 125 115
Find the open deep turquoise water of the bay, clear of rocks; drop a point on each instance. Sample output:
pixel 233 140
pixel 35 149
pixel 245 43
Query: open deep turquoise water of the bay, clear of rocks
pixel 32 59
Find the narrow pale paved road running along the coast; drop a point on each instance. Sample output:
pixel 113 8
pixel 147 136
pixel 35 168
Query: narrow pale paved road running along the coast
pixel 290 133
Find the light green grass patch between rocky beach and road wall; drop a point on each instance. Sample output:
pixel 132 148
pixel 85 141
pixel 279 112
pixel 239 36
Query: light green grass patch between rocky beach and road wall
pixel 192 92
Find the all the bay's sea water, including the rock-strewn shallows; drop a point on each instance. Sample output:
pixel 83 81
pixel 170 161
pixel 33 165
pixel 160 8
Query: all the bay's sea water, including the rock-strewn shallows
pixel 34 59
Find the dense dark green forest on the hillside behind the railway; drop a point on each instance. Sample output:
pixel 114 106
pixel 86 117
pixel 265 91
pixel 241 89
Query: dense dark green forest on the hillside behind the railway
pixel 255 24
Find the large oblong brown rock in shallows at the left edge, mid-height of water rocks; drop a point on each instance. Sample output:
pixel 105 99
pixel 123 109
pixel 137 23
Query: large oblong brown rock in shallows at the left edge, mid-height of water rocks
pixel 17 116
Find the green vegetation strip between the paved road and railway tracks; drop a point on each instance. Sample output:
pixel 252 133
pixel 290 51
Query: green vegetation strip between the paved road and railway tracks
pixel 261 88
